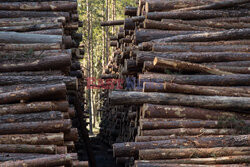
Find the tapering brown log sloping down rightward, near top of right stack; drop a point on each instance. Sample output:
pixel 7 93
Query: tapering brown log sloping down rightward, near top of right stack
pixel 152 24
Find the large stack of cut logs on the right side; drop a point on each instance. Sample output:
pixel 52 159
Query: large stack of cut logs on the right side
pixel 185 71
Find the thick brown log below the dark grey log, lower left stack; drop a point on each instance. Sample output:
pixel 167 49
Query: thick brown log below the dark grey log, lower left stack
pixel 35 127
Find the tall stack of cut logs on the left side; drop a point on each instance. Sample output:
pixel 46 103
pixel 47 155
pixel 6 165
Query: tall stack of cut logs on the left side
pixel 42 119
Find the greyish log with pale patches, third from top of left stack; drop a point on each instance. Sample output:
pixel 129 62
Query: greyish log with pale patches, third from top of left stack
pixel 8 22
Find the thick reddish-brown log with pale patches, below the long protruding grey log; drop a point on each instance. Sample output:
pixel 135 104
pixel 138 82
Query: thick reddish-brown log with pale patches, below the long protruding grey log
pixel 166 111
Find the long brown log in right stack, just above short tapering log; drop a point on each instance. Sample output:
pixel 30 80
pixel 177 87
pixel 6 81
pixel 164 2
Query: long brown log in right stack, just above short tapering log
pixel 196 14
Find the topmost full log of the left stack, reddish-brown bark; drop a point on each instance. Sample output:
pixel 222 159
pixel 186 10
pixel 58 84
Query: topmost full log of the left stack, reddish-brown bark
pixel 39 6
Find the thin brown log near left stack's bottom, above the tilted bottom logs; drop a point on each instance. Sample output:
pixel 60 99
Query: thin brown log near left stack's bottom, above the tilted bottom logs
pixel 24 148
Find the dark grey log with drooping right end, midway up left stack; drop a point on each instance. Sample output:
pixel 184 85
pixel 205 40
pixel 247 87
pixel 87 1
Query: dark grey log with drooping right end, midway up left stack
pixel 70 82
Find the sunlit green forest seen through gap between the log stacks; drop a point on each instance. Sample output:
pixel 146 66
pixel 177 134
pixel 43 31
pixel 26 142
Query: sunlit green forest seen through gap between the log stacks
pixel 96 43
